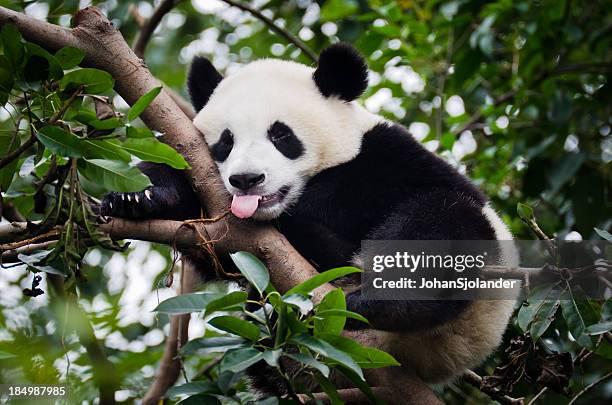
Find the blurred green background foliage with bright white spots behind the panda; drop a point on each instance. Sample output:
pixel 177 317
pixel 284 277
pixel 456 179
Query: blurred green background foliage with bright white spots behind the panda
pixel 517 94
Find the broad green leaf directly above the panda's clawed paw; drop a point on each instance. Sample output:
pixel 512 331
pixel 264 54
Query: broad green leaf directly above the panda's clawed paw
pixel 113 175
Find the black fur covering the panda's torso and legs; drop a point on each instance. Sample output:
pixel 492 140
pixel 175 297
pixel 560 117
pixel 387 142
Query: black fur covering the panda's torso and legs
pixel 393 190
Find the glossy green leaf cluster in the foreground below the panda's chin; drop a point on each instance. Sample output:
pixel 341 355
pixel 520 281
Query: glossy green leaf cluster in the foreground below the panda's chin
pixel 277 330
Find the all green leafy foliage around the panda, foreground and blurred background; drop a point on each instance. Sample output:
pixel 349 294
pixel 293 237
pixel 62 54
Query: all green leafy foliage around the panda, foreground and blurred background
pixel 515 93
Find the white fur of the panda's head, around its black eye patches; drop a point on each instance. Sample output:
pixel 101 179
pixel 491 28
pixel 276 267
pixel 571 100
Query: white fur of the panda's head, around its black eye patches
pixel 269 90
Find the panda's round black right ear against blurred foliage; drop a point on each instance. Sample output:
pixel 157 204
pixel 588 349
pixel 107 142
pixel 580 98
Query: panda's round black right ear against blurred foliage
pixel 342 72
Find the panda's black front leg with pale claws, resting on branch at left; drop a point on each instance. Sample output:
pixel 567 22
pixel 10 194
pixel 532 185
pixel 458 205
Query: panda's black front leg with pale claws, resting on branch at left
pixel 170 197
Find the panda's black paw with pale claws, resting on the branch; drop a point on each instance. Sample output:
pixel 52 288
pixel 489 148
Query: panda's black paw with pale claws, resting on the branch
pixel 143 204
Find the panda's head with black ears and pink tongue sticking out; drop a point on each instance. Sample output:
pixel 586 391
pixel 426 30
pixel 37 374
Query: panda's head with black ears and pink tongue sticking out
pixel 274 124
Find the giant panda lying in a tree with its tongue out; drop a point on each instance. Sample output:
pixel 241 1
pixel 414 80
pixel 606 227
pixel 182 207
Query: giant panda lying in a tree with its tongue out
pixel 294 148
